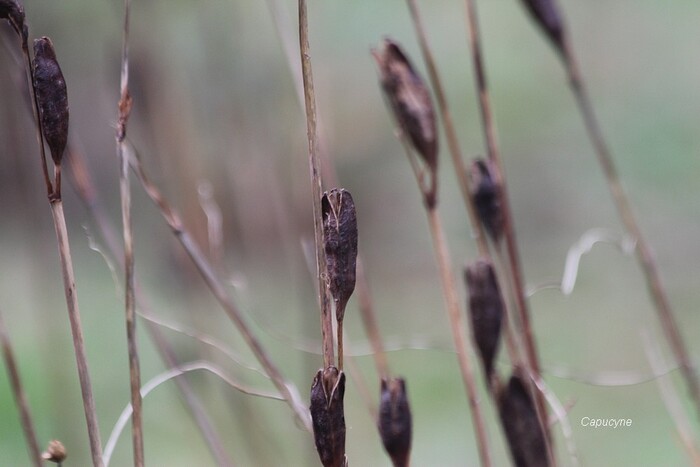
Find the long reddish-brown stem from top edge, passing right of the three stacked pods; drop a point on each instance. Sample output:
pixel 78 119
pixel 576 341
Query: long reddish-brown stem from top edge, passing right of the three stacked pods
pixel 513 255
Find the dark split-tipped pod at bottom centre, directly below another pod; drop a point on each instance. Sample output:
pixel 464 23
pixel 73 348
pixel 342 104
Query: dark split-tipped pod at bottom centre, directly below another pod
pixel 327 415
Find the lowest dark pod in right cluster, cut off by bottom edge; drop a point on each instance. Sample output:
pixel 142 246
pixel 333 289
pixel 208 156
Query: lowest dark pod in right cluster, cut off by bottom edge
pixel 521 425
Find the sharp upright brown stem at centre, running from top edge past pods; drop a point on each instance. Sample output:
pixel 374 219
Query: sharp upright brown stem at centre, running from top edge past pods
pixel 316 186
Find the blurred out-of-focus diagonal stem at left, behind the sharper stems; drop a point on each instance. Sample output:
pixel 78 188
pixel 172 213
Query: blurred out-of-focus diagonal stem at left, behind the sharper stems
pixel 84 187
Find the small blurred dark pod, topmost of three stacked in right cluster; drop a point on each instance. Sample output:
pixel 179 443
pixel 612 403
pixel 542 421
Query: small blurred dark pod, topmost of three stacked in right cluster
pixel 486 195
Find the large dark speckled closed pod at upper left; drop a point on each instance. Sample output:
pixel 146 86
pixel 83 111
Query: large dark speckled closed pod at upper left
pixel 51 95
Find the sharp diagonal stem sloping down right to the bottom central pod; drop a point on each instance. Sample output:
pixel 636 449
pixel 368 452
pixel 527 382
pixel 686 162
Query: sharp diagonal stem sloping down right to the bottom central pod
pixel 219 291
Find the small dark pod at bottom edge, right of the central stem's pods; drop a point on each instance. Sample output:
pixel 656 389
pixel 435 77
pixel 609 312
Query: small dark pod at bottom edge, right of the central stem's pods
pixel 395 426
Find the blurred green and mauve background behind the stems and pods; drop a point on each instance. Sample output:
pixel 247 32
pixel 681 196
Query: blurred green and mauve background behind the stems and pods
pixel 216 112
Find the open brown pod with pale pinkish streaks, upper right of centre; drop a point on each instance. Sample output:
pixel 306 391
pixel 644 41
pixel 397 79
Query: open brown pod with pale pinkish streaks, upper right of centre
pixel 410 100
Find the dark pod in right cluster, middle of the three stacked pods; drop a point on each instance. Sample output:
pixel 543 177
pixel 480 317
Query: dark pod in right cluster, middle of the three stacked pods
pixel 485 309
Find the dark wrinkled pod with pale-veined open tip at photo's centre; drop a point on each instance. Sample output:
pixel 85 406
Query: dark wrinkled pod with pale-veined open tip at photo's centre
pixel 340 244
